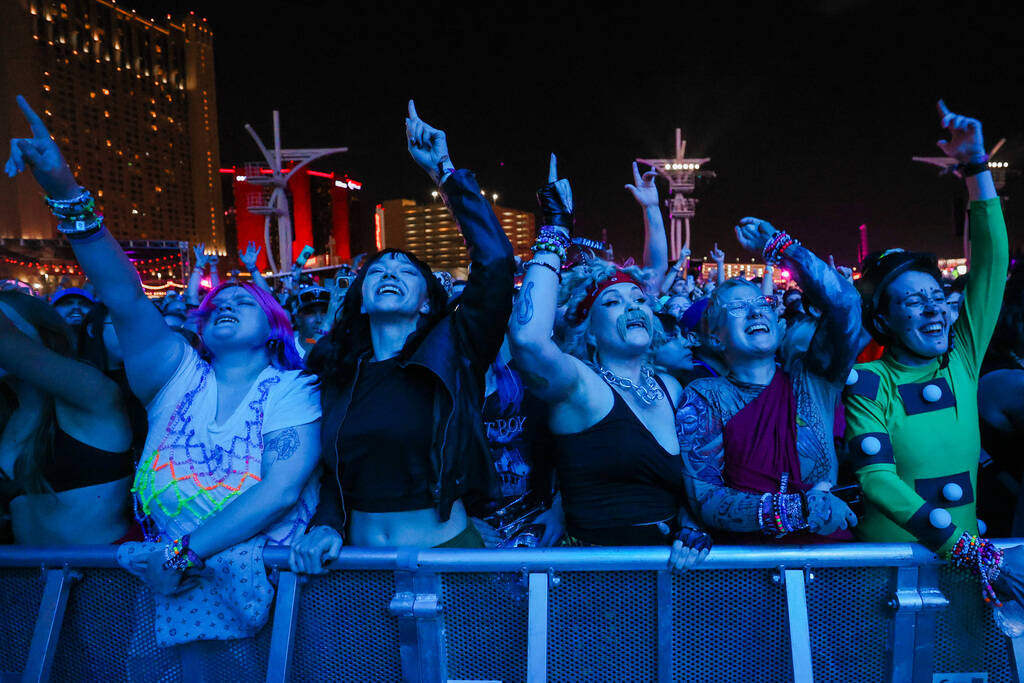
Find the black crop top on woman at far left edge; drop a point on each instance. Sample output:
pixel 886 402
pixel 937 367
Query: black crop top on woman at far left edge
pixel 74 464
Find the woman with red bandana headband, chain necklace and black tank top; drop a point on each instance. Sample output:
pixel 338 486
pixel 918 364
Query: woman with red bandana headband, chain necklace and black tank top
pixel 617 455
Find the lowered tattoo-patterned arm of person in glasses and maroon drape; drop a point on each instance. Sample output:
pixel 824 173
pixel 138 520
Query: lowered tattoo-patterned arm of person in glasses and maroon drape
pixel 715 504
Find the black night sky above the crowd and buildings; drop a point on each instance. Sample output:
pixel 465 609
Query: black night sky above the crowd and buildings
pixel 810 115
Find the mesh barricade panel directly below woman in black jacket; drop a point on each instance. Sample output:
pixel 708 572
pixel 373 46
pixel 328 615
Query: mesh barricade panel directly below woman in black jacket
pixel 345 632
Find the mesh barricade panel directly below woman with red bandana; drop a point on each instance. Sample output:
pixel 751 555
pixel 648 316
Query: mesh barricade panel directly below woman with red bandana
pixel 604 627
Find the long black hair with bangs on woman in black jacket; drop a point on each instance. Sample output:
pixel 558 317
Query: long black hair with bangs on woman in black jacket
pixel 334 358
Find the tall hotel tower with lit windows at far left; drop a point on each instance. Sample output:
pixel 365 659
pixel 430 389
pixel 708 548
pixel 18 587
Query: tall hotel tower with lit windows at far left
pixel 133 104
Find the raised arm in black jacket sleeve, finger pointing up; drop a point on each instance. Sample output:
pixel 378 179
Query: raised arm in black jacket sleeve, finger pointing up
pixel 486 304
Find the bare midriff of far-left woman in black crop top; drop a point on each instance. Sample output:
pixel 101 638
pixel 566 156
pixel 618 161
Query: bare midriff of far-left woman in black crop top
pixel 91 516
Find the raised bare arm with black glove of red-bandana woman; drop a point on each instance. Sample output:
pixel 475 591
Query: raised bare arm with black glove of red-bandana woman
pixel 552 375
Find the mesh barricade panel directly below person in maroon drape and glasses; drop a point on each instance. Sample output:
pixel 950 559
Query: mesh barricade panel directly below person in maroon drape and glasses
pixel 731 626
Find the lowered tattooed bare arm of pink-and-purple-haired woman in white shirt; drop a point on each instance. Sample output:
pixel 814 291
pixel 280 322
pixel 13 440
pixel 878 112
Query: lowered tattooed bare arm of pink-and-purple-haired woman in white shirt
pixel 290 456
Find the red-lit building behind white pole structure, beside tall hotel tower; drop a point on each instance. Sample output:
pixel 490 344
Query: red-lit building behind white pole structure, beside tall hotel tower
pixel 325 214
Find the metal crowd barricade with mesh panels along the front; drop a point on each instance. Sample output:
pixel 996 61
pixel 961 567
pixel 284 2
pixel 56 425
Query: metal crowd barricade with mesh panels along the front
pixel 844 613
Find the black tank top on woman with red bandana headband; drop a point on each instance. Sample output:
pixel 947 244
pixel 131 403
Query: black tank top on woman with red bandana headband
pixel 616 475
